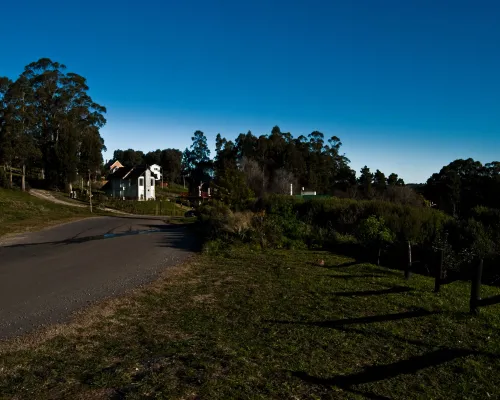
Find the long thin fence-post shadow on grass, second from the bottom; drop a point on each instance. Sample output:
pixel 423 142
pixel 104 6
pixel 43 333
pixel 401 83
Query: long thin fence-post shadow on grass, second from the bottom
pixel 361 320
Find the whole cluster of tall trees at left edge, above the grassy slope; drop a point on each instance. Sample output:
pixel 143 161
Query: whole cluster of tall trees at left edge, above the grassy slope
pixel 49 124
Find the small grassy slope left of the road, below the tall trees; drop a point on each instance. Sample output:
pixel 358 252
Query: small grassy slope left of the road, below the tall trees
pixel 20 212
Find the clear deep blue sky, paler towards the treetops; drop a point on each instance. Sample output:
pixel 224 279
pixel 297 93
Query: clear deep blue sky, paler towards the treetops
pixel 408 86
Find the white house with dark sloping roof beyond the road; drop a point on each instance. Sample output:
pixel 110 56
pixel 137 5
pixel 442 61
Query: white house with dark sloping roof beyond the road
pixel 136 183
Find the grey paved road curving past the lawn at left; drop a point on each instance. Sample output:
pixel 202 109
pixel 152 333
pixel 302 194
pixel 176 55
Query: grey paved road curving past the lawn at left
pixel 46 276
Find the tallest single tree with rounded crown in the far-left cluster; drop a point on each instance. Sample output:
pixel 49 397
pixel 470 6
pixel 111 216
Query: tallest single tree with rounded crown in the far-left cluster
pixel 59 115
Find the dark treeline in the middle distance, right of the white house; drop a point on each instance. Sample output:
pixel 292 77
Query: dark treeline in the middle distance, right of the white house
pixel 253 166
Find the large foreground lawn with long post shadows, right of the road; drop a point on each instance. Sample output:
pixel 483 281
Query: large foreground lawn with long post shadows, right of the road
pixel 255 325
